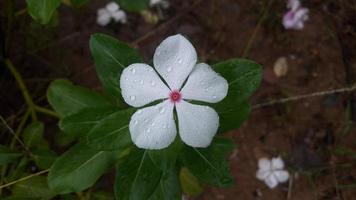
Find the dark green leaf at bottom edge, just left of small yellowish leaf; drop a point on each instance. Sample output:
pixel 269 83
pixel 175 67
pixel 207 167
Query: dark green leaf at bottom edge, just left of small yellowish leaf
pixel 168 187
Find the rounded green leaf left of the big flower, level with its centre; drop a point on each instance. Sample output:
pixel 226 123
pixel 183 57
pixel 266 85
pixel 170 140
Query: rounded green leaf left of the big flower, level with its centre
pixel 67 99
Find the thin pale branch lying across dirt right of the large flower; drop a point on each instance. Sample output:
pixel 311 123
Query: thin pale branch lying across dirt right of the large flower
pixel 305 96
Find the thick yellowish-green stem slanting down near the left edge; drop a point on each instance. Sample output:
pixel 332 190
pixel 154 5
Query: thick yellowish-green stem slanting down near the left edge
pixel 23 88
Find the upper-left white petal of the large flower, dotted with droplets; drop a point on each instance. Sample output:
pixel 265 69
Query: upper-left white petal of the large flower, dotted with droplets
pixel 141 85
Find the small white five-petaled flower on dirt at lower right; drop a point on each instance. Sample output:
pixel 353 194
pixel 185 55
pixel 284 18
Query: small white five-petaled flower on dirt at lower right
pixel 272 171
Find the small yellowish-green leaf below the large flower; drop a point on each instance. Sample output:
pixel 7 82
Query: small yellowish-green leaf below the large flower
pixel 190 184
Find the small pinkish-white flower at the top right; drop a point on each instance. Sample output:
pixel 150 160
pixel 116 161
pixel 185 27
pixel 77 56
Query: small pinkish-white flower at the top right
pixel 296 16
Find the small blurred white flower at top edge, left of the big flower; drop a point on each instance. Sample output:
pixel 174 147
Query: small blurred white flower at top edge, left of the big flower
pixel 111 11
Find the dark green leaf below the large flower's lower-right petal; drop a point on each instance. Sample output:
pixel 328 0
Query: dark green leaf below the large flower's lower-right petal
pixel 209 164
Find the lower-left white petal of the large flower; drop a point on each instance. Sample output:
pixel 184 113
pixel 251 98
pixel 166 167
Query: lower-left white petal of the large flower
pixel 153 127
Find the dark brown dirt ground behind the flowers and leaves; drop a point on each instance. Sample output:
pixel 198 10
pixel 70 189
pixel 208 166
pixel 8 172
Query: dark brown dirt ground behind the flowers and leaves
pixel 308 133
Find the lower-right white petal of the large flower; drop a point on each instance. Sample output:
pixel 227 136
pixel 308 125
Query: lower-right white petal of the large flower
pixel 197 124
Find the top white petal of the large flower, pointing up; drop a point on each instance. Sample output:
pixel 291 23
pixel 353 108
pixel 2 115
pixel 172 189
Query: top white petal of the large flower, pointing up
pixel 174 59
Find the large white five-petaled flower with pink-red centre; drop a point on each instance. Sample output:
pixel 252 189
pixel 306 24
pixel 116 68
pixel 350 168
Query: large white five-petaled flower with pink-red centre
pixel 179 79
